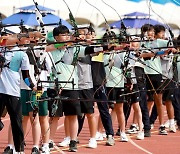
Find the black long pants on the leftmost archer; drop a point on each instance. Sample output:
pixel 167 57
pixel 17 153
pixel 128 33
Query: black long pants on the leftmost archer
pixel 14 109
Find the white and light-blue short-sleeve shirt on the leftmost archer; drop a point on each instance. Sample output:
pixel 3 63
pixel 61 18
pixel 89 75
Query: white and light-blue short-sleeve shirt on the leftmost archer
pixel 10 76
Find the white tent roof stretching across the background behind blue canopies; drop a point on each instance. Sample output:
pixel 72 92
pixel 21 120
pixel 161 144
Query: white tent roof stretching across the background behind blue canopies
pixel 169 12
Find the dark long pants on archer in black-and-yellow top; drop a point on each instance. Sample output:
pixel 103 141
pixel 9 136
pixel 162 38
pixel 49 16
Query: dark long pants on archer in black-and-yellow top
pixel 103 110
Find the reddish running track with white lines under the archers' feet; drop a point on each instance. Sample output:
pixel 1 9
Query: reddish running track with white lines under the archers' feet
pixel 156 144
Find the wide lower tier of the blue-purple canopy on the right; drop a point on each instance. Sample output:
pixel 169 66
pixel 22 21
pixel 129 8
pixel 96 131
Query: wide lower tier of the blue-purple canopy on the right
pixel 134 22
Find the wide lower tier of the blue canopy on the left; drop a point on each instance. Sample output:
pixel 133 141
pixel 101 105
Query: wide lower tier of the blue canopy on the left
pixel 29 19
